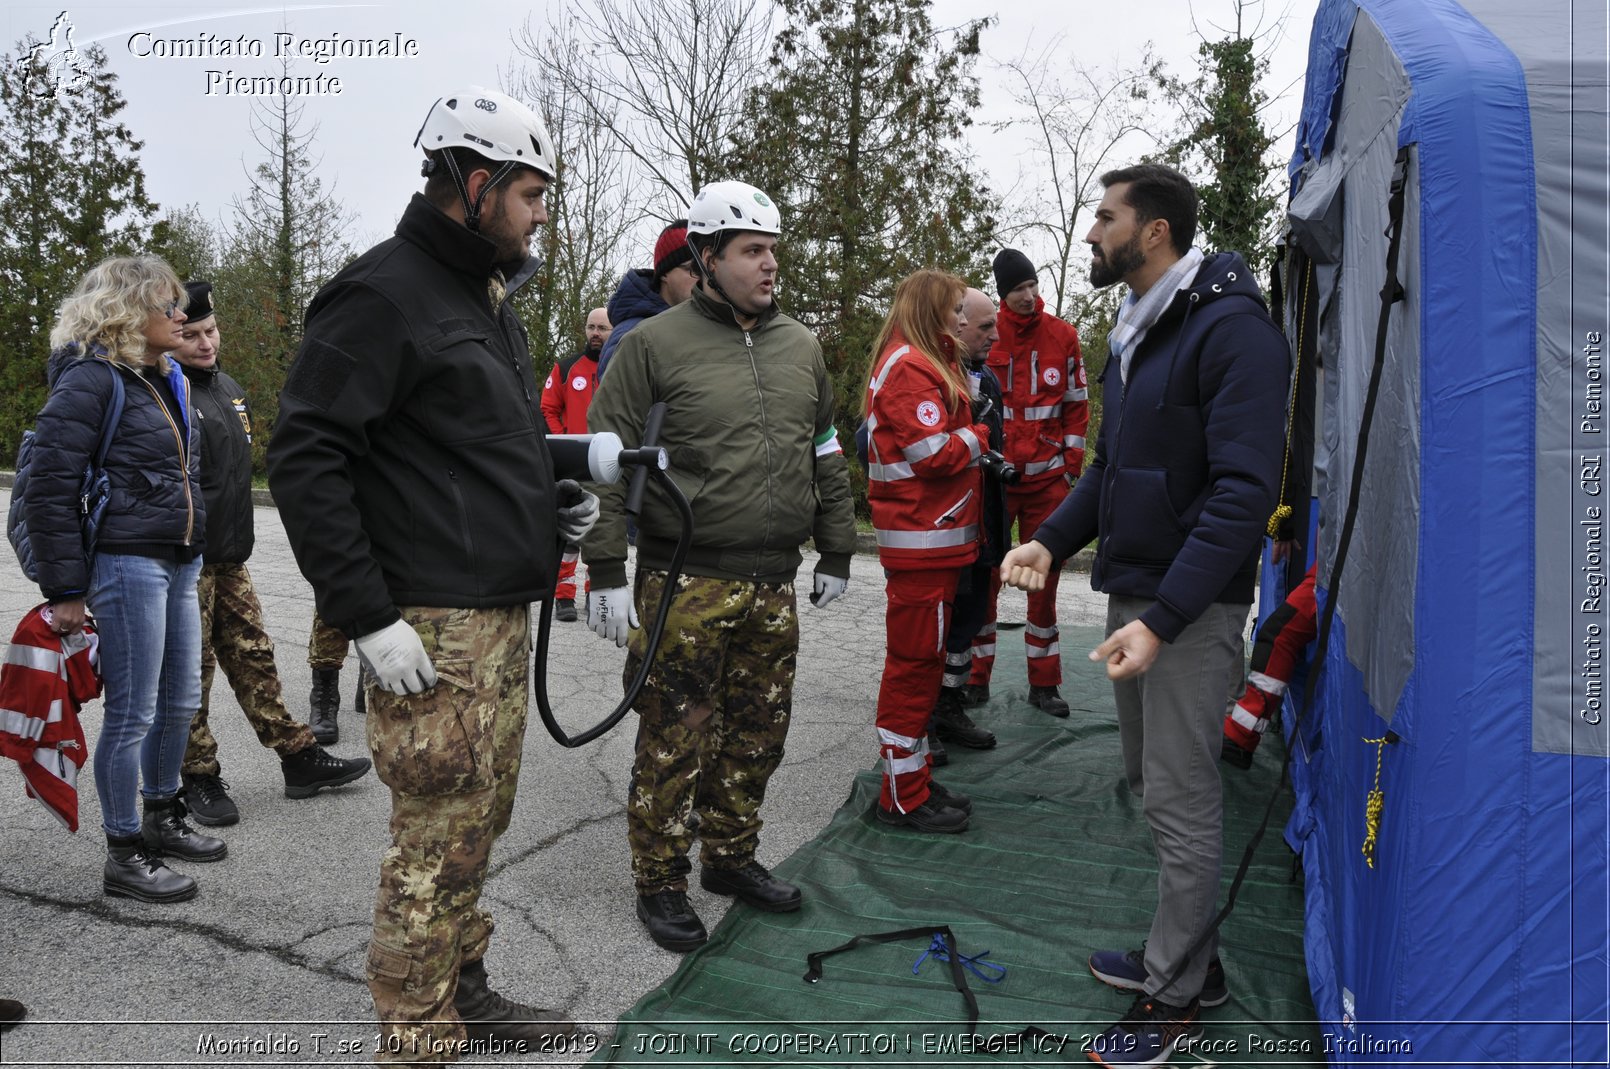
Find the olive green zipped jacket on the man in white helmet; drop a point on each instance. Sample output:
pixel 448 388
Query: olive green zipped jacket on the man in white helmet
pixel 751 439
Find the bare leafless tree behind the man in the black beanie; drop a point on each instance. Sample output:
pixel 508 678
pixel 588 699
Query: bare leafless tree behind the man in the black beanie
pixel 1081 123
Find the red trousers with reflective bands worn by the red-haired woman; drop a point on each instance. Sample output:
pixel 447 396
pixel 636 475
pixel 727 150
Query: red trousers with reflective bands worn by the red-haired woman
pixel 917 621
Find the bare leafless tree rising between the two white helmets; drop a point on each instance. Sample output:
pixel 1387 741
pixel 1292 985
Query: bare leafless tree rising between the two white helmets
pixel 664 81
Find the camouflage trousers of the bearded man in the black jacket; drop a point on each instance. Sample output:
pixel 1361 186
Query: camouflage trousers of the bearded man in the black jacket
pixel 452 759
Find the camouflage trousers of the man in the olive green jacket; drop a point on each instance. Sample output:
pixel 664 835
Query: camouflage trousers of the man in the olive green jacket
pixel 714 716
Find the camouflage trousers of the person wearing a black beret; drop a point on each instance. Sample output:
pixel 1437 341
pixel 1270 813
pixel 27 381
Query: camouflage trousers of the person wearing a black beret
pixel 233 637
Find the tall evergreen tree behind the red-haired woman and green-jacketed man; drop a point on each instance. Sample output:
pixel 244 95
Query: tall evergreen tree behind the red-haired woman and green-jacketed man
pixel 857 138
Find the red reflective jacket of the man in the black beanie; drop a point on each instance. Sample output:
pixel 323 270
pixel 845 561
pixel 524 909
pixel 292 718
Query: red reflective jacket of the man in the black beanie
pixel 1044 386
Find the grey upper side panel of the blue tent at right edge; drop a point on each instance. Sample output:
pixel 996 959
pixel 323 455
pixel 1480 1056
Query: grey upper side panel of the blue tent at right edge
pixel 1566 91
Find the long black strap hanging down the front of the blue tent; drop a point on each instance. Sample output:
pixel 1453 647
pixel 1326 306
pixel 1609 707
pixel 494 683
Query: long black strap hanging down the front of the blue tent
pixel 1392 294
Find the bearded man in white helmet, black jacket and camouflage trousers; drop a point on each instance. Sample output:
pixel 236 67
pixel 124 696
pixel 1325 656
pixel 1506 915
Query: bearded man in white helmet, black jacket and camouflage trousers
pixel 411 468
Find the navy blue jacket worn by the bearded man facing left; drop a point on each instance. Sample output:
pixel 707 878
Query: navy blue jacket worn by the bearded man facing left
pixel 1187 466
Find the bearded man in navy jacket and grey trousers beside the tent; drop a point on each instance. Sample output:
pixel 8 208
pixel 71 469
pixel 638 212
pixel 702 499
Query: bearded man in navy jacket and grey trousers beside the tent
pixel 1186 474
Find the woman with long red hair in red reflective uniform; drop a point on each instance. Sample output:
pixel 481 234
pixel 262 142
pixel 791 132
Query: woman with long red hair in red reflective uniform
pixel 925 485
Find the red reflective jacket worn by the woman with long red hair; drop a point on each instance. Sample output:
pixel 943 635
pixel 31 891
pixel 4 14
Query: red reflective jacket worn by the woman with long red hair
pixel 923 466
